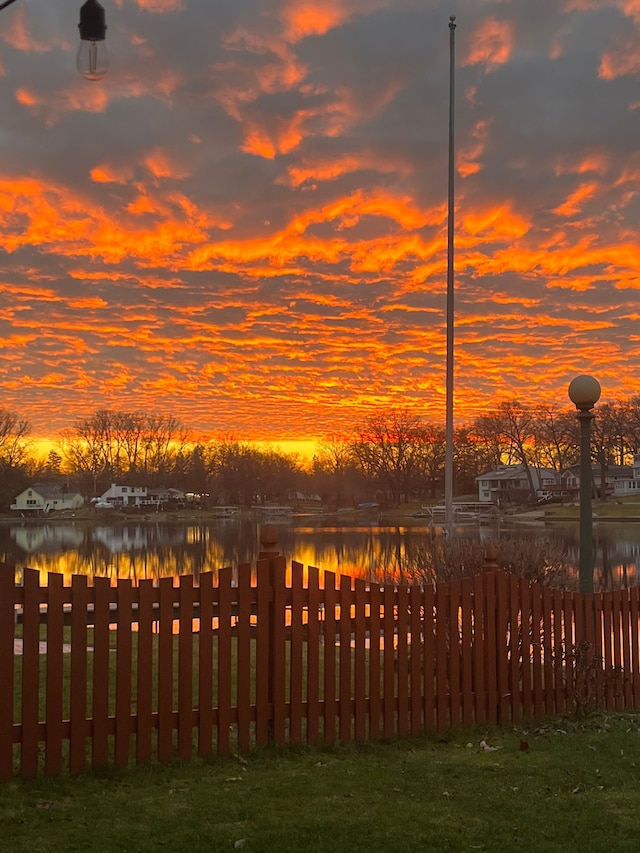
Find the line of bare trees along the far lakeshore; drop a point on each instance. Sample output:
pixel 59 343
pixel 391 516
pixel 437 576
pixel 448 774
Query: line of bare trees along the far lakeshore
pixel 392 457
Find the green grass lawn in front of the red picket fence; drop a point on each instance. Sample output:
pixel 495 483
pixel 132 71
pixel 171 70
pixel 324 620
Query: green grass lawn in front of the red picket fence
pixel 577 788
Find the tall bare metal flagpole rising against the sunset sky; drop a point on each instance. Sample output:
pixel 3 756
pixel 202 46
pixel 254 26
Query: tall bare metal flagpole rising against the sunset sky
pixel 448 460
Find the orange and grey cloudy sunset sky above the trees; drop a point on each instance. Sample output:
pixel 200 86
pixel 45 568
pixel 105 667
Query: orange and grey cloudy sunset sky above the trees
pixel 244 224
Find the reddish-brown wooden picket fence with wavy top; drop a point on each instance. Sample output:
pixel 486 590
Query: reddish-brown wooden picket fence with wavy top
pixel 120 673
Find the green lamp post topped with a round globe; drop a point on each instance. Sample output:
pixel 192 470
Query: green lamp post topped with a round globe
pixel 585 391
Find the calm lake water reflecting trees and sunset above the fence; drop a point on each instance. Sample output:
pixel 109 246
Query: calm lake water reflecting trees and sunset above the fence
pixel 151 550
